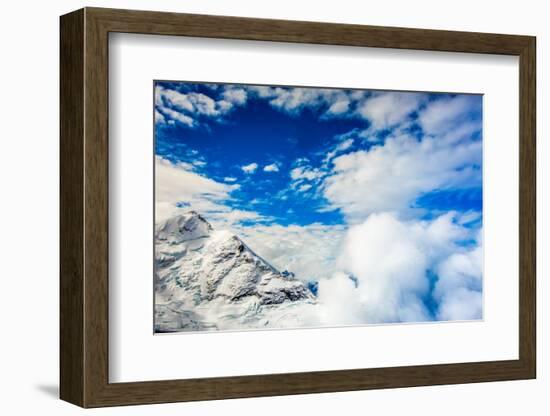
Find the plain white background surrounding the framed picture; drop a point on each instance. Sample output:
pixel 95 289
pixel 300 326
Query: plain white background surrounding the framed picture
pixel 29 208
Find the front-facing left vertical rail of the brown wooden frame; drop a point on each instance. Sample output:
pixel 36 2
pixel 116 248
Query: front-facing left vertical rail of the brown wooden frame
pixel 96 208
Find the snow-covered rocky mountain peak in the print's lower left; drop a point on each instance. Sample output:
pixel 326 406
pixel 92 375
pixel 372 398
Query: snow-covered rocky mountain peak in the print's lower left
pixel 211 280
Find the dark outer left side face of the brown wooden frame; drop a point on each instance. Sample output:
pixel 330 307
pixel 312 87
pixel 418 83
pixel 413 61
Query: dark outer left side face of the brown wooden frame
pixel 71 208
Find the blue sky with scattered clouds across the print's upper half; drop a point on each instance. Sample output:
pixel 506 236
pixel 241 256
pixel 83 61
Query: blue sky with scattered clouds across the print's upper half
pixel 281 146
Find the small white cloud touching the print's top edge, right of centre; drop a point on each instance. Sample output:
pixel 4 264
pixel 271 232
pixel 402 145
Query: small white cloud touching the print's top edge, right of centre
pixel 388 109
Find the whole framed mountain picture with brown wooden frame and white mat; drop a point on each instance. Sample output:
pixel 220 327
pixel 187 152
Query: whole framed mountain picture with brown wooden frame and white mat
pixel 256 207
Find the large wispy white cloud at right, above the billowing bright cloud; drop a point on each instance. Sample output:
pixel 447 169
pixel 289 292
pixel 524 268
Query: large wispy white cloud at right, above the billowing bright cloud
pixel 392 176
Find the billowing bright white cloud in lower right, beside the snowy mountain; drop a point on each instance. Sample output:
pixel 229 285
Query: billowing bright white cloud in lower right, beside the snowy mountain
pixel 391 260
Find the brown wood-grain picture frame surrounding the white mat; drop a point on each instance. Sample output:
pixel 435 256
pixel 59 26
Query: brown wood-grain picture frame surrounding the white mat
pixel 84 207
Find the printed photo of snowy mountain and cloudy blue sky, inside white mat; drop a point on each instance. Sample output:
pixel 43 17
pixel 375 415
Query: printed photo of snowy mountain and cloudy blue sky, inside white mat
pixel 282 207
